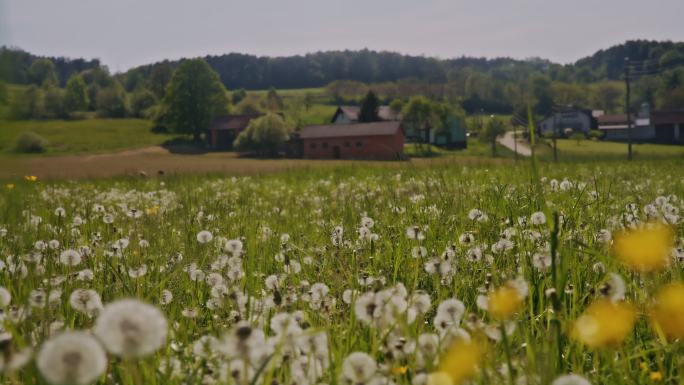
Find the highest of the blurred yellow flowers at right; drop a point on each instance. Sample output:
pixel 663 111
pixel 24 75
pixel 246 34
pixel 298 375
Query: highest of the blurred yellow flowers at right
pixel 645 249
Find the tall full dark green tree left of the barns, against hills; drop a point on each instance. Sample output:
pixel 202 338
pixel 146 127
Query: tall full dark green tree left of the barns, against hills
pixel 194 96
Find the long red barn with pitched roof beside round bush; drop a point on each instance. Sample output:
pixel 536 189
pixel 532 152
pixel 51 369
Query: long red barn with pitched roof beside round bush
pixel 379 140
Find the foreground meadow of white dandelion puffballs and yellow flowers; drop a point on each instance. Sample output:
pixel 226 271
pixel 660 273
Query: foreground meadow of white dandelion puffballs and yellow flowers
pixel 569 274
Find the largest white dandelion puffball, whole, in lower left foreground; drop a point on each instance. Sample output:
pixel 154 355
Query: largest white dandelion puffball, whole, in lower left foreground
pixel 130 328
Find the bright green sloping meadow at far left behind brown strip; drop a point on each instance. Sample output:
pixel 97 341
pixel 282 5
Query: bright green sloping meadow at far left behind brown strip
pixel 82 136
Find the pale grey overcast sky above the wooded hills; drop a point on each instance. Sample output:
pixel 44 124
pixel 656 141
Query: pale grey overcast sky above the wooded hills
pixel 126 33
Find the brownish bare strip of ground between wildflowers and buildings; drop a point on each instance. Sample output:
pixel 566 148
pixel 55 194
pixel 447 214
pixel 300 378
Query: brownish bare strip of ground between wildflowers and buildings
pixel 157 160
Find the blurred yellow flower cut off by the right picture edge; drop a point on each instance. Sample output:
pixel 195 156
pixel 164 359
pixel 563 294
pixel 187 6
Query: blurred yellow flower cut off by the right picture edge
pixel 668 310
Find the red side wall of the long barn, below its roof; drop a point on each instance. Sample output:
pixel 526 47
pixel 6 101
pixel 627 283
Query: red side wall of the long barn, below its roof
pixel 360 147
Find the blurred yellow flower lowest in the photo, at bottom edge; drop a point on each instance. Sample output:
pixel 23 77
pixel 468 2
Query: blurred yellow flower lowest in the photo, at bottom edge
pixel 459 364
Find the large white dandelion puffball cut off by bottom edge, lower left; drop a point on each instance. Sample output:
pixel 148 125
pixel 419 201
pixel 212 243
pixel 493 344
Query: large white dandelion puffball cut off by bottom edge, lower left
pixel 73 358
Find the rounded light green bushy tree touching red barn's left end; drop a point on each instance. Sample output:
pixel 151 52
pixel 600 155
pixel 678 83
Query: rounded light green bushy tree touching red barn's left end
pixel 264 135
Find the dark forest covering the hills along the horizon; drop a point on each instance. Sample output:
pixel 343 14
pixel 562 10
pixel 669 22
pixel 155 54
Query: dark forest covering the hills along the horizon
pixel 498 85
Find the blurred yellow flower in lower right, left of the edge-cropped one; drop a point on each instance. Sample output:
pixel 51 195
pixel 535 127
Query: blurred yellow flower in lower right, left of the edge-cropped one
pixel 604 323
